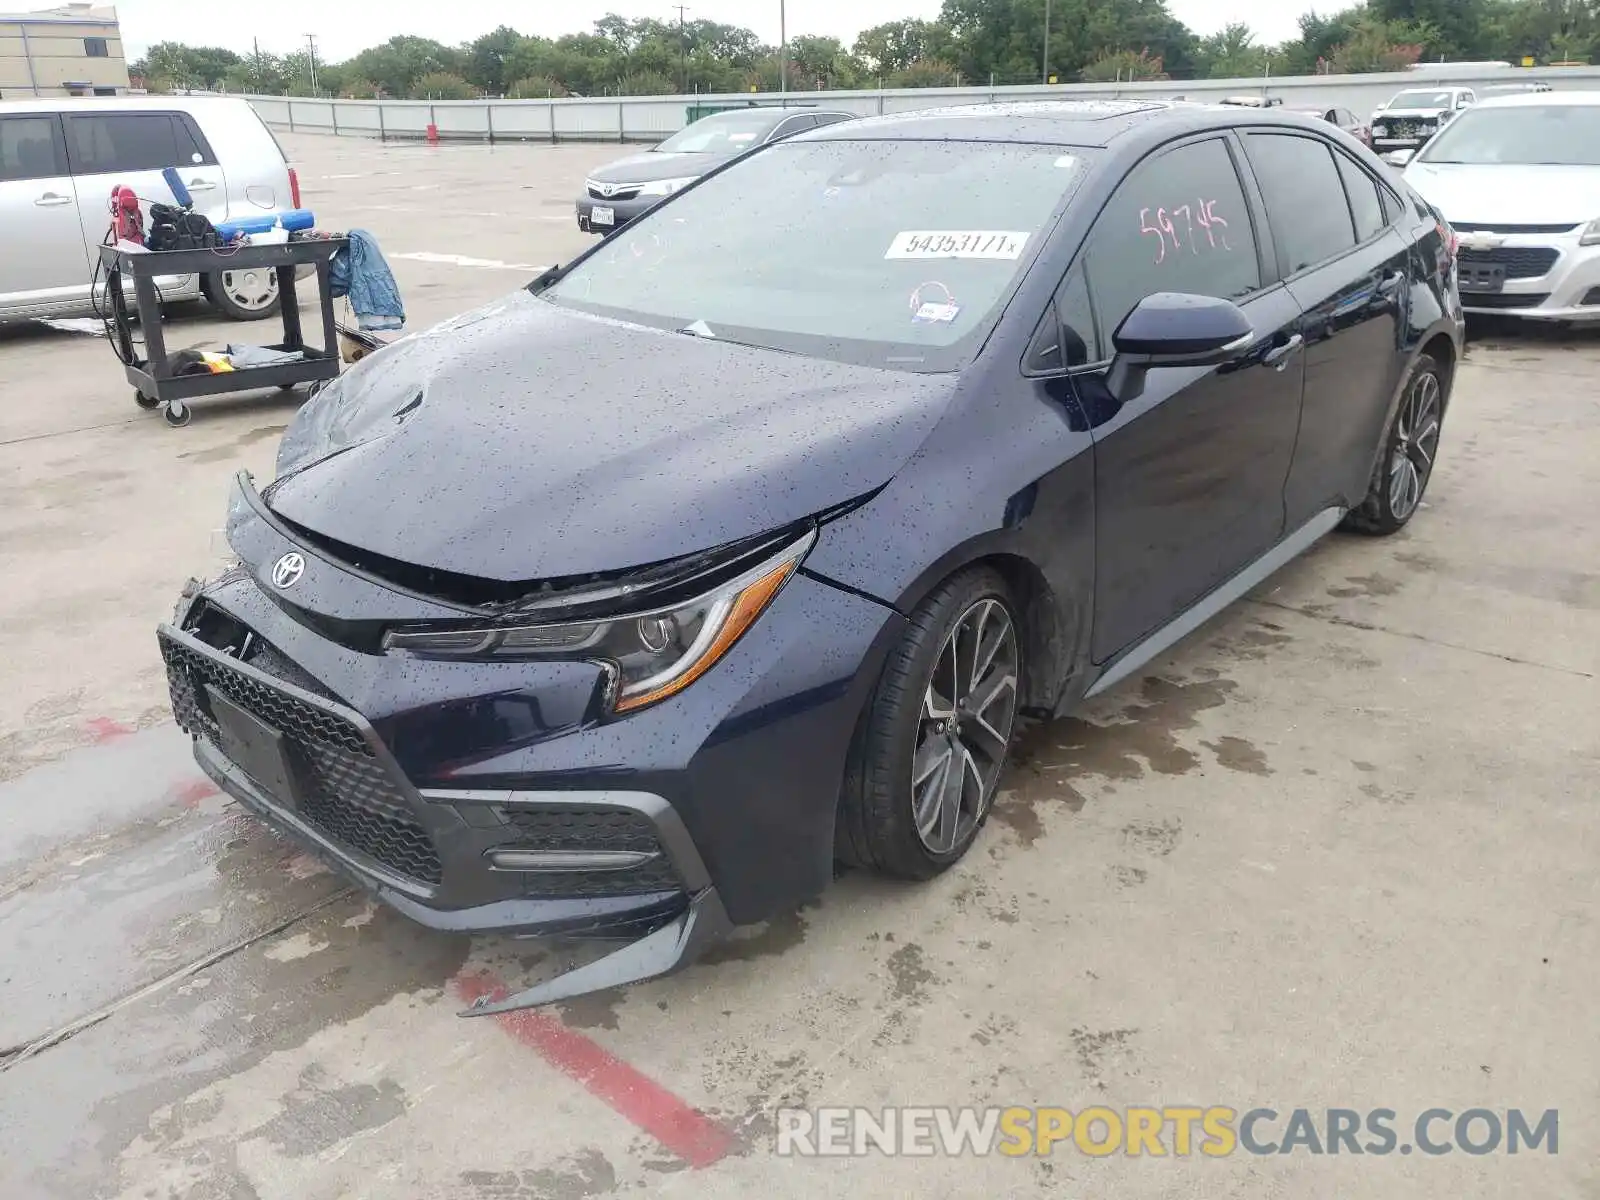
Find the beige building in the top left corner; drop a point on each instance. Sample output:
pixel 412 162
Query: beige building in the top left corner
pixel 73 50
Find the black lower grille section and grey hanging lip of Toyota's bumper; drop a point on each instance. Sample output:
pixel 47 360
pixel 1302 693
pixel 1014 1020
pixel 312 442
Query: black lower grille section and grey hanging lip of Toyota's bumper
pixel 625 860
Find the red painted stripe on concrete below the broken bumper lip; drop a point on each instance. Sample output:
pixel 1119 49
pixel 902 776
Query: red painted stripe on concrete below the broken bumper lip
pixel 678 1126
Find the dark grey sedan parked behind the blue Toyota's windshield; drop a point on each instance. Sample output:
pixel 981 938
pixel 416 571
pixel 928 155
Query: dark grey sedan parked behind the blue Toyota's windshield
pixel 620 191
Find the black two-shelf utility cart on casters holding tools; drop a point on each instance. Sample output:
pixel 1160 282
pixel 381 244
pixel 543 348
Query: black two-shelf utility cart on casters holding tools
pixel 151 377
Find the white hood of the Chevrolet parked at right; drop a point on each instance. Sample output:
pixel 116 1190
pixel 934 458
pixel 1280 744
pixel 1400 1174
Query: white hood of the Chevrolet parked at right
pixel 1510 194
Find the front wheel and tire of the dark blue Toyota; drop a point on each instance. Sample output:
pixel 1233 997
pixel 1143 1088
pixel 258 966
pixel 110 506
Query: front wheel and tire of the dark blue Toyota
pixel 934 743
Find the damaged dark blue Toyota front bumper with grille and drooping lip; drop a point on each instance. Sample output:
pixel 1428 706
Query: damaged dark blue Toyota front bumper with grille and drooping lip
pixel 500 798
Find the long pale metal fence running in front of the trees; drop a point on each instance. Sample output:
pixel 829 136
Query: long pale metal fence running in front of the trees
pixel 650 119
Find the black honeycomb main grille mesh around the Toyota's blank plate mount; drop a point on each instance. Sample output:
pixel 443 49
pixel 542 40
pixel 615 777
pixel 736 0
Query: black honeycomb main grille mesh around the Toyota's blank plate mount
pixel 348 794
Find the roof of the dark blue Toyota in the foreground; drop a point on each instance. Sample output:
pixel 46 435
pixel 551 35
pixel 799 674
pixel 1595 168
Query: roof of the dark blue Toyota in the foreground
pixel 1087 124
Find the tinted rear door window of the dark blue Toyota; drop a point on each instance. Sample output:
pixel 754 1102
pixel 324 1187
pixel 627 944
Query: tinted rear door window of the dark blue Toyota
pixel 1303 193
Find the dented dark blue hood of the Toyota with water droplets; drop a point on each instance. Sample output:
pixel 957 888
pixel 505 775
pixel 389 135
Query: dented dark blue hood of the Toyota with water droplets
pixel 532 442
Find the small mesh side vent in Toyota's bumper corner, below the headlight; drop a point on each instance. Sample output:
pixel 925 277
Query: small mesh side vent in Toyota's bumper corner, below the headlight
pixel 591 830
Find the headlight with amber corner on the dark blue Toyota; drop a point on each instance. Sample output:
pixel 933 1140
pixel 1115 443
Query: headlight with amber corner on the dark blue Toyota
pixel 650 655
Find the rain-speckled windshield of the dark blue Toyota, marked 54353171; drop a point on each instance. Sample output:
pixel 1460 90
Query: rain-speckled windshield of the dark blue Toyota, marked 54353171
pixel 881 254
